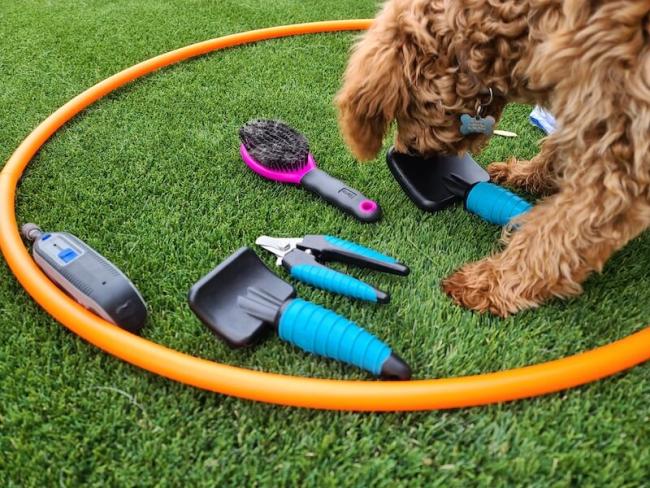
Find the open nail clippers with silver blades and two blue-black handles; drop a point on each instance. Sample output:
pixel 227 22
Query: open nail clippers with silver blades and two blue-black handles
pixel 302 258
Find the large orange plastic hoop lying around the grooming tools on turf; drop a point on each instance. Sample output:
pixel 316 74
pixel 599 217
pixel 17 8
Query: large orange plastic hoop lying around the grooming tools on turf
pixel 268 387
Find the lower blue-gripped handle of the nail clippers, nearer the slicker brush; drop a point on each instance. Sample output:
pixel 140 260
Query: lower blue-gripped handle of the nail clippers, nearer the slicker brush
pixel 330 280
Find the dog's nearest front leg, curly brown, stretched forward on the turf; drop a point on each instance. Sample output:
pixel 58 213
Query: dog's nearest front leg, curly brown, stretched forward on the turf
pixel 553 250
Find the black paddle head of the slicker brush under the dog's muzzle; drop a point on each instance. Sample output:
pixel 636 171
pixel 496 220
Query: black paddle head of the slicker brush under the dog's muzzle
pixel 437 182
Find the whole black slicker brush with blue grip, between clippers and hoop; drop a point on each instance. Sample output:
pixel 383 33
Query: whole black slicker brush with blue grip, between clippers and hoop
pixel 241 299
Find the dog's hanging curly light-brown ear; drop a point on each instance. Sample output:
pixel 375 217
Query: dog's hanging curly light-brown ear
pixel 372 93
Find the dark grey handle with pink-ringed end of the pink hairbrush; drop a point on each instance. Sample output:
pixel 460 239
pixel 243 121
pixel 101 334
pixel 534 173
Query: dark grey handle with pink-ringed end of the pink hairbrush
pixel 341 195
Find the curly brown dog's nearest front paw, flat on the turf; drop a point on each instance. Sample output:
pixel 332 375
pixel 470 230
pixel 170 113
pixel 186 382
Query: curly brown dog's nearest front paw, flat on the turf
pixel 479 286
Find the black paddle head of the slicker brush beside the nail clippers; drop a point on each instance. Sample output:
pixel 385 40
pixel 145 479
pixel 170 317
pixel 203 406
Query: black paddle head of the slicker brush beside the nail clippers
pixel 240 298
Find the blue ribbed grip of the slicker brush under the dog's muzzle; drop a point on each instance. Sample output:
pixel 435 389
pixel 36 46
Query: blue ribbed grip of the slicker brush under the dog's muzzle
pixel 495 204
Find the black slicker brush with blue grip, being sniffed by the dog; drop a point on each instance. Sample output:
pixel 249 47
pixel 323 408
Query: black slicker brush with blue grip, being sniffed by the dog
pixel 437 182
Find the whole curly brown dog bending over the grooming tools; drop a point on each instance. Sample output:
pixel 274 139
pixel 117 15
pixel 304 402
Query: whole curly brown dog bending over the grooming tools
pixel 425 62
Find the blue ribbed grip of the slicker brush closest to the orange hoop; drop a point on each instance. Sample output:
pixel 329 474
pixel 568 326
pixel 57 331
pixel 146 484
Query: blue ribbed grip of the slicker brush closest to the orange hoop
pixel 320 331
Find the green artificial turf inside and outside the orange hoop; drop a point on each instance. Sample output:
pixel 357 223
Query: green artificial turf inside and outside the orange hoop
pixel 151 177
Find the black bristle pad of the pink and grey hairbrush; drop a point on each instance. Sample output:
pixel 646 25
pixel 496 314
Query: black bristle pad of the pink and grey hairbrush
pixel 274 144
